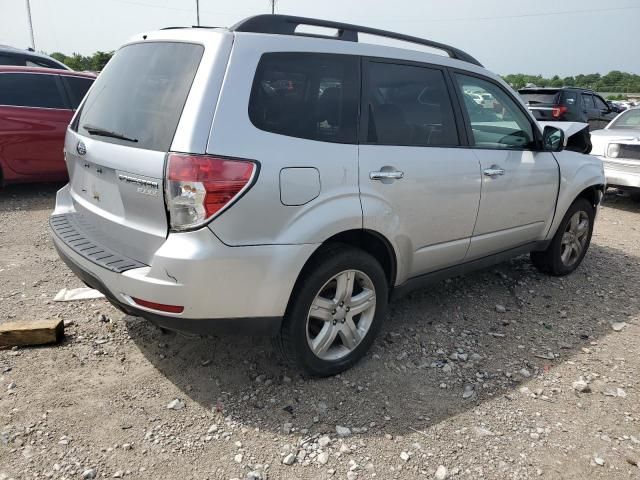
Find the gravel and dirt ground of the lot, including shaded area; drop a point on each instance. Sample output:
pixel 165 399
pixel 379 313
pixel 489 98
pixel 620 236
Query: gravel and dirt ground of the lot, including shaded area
pixel 455 387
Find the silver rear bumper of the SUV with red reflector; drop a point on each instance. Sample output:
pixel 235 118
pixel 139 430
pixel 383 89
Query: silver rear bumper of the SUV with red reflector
pixel 222 288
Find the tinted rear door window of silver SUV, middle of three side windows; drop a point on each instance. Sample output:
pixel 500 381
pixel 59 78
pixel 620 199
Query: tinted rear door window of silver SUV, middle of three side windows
pixel 408 105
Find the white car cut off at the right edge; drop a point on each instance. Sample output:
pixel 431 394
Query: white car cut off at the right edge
pixel 618 146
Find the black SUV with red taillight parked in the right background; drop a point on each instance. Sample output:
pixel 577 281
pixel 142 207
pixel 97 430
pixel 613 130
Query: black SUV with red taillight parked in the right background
pixel 568 104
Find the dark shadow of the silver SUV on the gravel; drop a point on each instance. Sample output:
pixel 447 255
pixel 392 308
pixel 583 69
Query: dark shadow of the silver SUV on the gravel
pixel 401 385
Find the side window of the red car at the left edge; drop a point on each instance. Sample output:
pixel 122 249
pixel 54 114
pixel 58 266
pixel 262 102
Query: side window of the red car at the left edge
pixel 30 90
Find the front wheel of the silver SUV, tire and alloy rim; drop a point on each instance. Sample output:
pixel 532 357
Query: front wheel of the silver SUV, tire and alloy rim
pixel 555 260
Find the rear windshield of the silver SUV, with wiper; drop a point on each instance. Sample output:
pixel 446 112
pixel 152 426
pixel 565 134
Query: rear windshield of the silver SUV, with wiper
pixel 141 93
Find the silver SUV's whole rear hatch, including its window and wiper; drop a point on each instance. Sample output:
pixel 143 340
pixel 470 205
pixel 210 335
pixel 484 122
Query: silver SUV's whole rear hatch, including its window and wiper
pixel 117 144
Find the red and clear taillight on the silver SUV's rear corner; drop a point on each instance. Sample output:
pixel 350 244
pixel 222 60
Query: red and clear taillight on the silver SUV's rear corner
pixel 199 187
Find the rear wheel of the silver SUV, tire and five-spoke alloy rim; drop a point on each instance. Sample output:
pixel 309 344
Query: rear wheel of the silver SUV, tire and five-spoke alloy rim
pixel 318 287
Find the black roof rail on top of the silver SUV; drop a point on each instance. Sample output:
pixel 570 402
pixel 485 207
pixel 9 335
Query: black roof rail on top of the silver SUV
pixel 287 25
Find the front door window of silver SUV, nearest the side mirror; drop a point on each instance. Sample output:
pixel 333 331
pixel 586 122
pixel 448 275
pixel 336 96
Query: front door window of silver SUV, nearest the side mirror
pixel 499 123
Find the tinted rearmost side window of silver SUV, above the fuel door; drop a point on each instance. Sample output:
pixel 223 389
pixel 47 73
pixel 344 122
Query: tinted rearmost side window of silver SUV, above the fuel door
pixel 307 95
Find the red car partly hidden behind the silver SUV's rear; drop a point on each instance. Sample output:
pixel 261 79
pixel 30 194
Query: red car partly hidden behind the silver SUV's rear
pixel 36 105
